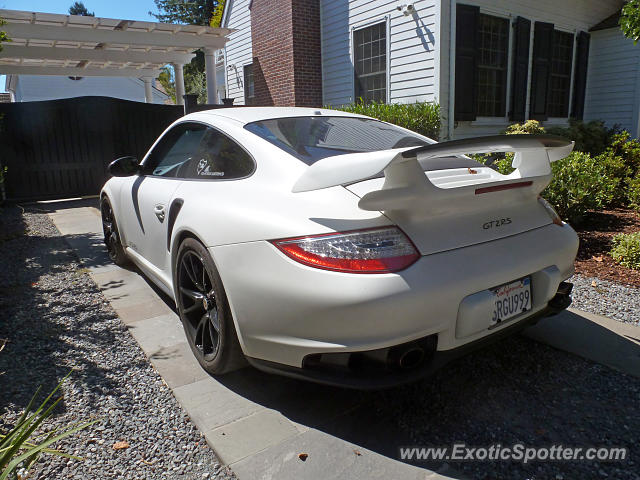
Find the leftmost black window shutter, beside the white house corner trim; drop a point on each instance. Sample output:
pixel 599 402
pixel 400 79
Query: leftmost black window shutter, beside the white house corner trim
pixel 466 62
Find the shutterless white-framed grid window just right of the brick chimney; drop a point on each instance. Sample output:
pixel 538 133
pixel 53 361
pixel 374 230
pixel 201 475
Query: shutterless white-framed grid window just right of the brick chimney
pixel 370 61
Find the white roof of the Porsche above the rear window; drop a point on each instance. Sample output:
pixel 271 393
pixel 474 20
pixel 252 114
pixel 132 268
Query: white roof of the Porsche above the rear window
pixel 246 115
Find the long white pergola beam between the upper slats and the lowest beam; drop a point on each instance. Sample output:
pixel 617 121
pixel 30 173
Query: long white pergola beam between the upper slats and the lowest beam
pixel 93 55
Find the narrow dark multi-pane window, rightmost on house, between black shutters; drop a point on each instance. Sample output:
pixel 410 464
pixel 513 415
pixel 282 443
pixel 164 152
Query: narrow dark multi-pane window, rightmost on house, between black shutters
pixel 560 75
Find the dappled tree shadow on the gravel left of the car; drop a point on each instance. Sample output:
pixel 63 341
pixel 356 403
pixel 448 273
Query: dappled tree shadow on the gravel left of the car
pixel 48 326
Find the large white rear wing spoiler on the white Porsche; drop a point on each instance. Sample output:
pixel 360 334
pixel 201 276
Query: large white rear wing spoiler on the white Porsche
pixel 402 168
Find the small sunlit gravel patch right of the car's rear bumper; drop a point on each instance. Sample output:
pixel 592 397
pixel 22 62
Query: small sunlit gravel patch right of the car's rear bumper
pixel 620 302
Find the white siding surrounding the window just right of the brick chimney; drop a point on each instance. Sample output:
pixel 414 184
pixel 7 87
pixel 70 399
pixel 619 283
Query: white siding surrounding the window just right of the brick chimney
pixel 412 43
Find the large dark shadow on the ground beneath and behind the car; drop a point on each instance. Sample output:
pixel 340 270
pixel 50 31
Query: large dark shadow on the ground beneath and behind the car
pixel 517 391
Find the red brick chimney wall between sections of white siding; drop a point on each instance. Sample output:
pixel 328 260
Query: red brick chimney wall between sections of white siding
pixel 285 36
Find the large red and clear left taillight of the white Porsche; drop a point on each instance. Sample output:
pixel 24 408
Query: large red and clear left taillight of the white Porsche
pixel 379 250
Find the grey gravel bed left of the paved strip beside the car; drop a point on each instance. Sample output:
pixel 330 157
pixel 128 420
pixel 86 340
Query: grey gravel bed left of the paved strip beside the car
pixel 56 320
